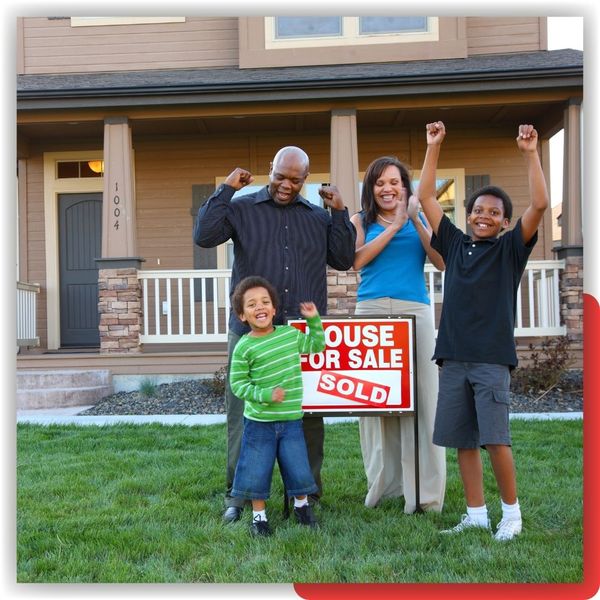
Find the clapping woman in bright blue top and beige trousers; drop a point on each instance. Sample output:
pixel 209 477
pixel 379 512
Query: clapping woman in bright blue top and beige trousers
pixel 391 244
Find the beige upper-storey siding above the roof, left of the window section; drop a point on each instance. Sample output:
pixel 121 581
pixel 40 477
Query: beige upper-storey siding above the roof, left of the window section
pixel 53 46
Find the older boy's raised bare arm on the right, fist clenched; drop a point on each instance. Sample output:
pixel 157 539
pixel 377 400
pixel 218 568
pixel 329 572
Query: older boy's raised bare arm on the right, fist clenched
pixel 538 192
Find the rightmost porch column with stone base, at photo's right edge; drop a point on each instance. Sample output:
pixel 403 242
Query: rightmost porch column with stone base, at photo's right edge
pixel 571 249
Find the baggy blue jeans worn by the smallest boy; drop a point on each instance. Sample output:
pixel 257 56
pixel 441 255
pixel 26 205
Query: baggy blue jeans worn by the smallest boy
pixel 262 443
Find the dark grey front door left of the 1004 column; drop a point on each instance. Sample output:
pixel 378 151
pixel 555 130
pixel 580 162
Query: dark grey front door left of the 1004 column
pixel 80 243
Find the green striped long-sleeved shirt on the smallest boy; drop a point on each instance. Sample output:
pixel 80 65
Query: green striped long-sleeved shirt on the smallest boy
pixel 260 364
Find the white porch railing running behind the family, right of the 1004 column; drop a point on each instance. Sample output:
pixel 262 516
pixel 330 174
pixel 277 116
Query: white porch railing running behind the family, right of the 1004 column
pixel 193 306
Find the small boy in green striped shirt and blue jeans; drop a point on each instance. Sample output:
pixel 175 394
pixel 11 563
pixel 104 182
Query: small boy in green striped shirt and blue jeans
pixel 265 372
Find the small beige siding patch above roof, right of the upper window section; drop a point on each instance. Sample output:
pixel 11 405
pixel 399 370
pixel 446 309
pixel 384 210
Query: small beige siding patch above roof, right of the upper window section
pixel 492 35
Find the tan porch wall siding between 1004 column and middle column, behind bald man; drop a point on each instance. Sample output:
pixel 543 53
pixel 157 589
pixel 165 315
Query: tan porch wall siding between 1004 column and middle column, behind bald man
pixel 167 170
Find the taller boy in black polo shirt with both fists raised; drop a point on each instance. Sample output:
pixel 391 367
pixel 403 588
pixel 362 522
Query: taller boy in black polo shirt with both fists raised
pixel 475 341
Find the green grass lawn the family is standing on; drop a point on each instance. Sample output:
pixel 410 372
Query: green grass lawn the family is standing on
pixel 131 503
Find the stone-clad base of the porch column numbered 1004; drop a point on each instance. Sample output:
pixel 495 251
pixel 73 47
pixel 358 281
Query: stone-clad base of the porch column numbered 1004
pixel 120 308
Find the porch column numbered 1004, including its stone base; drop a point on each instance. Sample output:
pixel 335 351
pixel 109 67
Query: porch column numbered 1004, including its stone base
pixel 119 291
